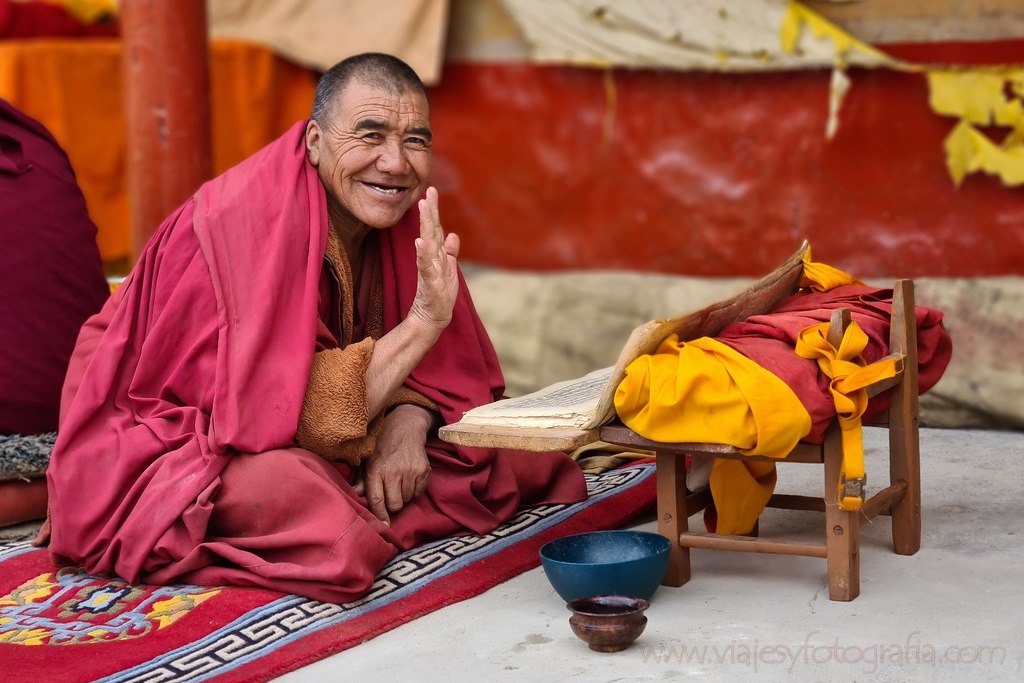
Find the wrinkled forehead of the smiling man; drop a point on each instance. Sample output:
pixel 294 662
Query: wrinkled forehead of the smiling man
pixel 401 109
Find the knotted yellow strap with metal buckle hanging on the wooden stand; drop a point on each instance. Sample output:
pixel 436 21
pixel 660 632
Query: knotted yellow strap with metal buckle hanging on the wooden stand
pixel 849 378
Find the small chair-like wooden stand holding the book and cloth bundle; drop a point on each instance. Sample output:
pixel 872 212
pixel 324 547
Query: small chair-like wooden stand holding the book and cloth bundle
pixel 841 549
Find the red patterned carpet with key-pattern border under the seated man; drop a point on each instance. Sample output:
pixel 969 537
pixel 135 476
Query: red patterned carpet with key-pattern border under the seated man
pixel 67 626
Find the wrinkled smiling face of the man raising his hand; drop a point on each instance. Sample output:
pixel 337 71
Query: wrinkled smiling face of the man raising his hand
pixel 373 154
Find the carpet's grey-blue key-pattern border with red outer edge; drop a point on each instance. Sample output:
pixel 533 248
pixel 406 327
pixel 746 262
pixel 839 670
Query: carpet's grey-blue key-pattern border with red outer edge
pixel 252 648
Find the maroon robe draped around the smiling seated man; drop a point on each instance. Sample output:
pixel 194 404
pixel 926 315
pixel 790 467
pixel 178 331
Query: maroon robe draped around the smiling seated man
pixel 177 460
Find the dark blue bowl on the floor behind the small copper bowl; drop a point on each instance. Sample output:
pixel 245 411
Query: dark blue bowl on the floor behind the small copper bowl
pixel 620 563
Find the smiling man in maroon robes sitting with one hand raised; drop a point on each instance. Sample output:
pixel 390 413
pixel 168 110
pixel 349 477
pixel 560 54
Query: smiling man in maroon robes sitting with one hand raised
pixel 259 404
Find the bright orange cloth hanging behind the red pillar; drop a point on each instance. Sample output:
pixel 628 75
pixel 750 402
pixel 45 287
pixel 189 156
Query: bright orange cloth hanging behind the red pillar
pixel 74 89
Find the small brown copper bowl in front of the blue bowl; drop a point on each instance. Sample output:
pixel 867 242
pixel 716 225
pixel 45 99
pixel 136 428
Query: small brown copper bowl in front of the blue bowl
pixel 609 623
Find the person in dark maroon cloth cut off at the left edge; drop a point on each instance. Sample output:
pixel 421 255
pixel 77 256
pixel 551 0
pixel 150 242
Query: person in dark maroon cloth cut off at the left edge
pixel 52 277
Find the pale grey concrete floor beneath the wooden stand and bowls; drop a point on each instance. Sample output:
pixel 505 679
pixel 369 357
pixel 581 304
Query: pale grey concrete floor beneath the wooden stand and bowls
pixel 952 613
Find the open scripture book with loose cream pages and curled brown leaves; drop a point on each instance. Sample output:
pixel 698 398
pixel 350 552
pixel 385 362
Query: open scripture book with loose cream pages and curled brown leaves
pixel 584 405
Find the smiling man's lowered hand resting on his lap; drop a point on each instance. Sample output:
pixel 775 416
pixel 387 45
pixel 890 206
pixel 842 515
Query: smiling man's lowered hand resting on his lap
pixel 399 469
